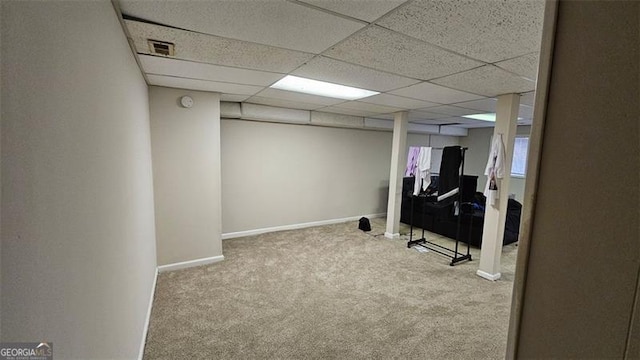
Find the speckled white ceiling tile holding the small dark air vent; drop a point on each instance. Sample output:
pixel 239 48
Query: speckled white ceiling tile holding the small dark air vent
pixel 216 50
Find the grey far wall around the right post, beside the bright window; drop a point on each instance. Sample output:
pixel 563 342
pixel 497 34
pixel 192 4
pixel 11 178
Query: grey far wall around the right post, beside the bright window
pixel 478 142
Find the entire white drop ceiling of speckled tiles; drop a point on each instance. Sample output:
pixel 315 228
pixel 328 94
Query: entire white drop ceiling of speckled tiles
pixel 439 60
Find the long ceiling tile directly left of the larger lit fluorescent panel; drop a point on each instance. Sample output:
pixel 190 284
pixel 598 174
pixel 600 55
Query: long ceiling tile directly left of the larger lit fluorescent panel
pixel 180 68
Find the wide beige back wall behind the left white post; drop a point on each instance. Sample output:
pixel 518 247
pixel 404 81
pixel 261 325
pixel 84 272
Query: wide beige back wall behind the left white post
pixel 282 174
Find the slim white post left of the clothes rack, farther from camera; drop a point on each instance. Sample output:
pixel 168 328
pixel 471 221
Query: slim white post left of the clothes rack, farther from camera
pixel 398 158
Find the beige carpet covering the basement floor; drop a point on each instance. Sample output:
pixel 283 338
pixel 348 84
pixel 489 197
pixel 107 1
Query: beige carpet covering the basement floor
pixel 331 292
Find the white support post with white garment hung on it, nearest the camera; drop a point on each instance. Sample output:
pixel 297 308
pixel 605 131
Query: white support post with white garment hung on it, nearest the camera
pixel 495 216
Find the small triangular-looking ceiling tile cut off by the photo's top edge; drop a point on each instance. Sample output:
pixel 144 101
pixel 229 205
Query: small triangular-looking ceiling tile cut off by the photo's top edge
pixel 366 10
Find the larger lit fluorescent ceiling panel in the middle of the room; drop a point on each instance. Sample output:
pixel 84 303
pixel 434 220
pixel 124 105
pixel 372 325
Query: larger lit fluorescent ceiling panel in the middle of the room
pixel 321 88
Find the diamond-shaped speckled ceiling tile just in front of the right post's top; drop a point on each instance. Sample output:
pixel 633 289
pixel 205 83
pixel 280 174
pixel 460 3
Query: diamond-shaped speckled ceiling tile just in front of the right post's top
pixel 488 80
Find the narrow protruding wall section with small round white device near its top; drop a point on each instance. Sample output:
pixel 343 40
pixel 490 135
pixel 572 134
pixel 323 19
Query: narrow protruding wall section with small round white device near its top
pixel 186 174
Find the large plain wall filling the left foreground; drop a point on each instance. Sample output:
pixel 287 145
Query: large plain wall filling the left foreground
pixel 78 240
